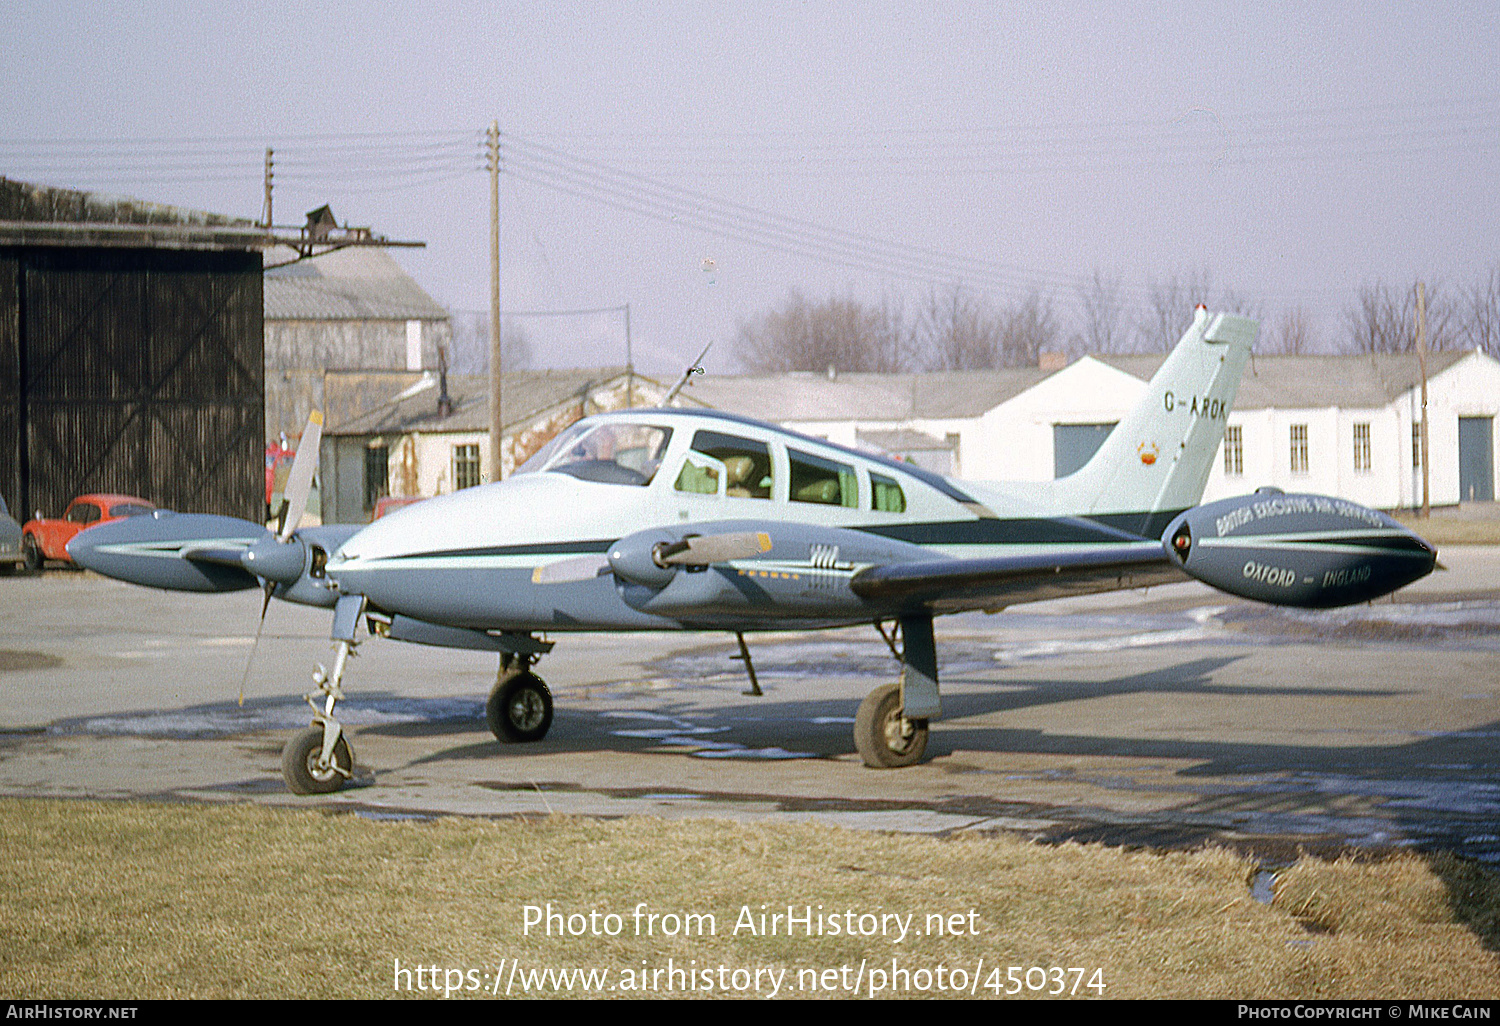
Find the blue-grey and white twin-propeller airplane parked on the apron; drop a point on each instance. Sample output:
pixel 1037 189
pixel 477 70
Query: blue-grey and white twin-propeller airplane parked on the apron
pixel 653 520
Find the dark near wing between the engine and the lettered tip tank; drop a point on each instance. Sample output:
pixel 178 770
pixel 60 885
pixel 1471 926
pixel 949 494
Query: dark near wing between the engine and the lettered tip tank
pixel 992 583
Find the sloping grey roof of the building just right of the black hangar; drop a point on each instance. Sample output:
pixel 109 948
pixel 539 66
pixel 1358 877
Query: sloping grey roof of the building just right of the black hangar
pixel 356 284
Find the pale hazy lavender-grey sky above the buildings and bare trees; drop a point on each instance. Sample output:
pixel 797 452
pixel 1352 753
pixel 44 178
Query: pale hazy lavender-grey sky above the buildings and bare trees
pixel 698 161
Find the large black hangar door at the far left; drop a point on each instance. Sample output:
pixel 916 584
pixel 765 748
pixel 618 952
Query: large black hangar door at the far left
pixel 133 371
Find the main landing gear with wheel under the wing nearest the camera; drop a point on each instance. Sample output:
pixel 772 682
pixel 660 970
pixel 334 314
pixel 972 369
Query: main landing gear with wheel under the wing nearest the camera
pixel 890 730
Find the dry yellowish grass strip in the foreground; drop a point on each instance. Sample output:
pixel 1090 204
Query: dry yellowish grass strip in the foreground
pixel 136 902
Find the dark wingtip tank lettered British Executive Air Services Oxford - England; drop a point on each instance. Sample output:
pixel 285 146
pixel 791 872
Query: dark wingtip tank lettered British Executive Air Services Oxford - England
pixel 1298 550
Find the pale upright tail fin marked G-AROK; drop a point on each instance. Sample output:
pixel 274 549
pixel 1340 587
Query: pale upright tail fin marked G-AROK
pixel 1157 461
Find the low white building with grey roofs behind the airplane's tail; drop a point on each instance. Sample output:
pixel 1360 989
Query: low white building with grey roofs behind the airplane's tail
pixel 1337 425
